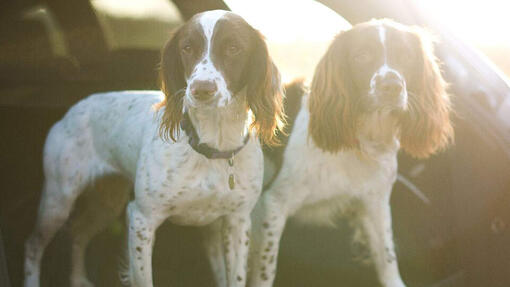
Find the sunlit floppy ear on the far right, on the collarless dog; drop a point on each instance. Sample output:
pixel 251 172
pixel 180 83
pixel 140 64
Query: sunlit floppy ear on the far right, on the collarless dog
pixel 426 126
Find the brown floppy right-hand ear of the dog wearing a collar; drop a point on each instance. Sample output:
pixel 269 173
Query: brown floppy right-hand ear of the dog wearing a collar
pixel 264 92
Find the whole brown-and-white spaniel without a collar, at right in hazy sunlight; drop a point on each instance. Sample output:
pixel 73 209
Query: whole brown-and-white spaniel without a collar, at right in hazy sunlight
pixel 377 88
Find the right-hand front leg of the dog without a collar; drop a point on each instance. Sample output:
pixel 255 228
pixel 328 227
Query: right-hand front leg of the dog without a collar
pixel 376 222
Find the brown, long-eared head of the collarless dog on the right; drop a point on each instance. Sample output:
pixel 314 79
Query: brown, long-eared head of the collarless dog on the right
pixel 380 66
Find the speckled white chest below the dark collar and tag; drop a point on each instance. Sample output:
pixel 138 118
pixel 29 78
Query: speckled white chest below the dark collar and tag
pixel 194 190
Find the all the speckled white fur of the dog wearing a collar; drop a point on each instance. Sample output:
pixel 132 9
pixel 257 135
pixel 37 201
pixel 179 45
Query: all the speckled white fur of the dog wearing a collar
pixel 110 142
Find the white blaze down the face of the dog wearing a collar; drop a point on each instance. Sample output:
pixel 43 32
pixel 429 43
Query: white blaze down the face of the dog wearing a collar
pixel 205 69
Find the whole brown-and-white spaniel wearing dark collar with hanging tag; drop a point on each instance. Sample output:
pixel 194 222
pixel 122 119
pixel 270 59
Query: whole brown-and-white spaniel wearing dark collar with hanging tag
pixel 192 153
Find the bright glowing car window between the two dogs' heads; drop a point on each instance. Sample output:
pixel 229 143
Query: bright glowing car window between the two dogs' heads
pixel 298 32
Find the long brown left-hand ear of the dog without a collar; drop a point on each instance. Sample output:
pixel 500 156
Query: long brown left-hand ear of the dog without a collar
pixel 332 107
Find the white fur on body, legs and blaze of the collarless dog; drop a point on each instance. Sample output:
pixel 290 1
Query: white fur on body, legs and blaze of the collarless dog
pixel 315 186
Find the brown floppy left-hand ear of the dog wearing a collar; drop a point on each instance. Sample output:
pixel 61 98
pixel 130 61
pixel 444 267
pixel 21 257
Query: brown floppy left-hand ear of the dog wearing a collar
pixel 173 84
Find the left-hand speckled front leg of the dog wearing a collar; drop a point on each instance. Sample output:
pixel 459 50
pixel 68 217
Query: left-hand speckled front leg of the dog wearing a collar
pixel 142 227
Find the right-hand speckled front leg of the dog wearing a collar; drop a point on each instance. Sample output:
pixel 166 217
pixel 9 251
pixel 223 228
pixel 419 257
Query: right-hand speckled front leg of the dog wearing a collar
pixel 236 238
